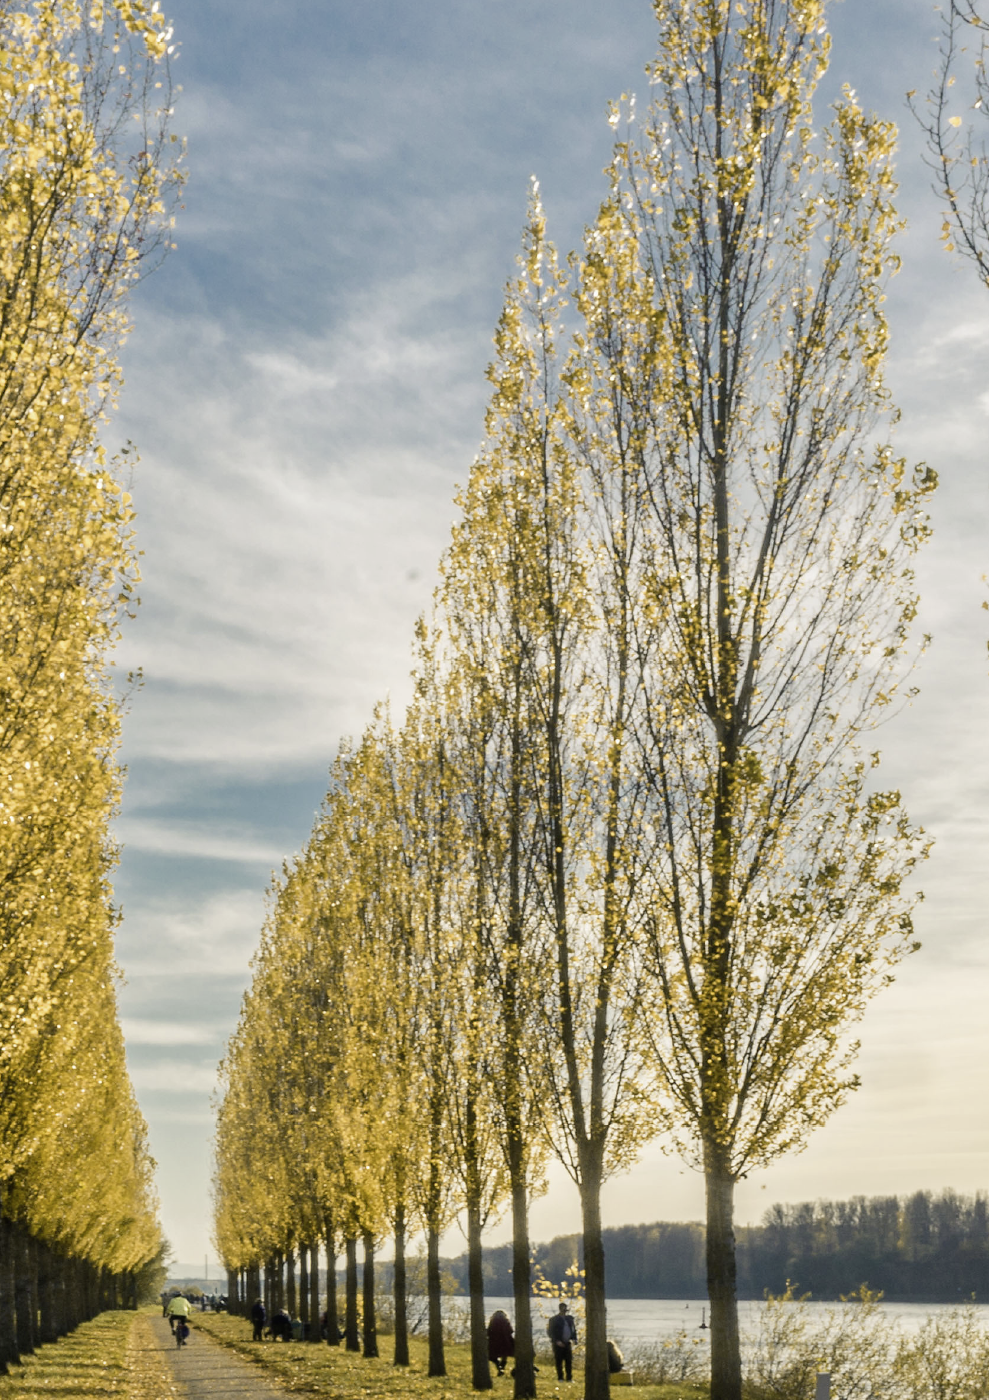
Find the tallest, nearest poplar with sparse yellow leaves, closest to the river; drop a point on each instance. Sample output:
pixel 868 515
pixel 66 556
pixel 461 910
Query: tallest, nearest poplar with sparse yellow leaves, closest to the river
pixel 781 594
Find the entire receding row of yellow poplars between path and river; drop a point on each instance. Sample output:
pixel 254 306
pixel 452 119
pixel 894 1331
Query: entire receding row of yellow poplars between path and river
pixel 625 869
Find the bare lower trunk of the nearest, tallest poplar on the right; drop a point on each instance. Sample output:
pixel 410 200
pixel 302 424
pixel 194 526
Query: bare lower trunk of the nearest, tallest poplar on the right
pixel 721 1248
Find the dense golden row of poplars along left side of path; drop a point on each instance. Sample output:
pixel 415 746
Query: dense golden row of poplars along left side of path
pixel 85 181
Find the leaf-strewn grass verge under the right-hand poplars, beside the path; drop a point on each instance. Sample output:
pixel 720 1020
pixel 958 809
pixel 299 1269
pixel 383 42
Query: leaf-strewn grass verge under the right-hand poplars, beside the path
pixel 345 1375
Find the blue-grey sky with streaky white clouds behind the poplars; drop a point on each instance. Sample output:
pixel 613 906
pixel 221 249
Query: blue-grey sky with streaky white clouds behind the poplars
pixel 306 387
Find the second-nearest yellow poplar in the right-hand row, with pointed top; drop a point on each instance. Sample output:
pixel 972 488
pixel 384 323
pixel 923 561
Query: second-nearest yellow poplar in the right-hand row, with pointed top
pixel 554 503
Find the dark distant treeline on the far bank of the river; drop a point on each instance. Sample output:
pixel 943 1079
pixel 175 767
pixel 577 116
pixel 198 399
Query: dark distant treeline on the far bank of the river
pixel 921 1248
